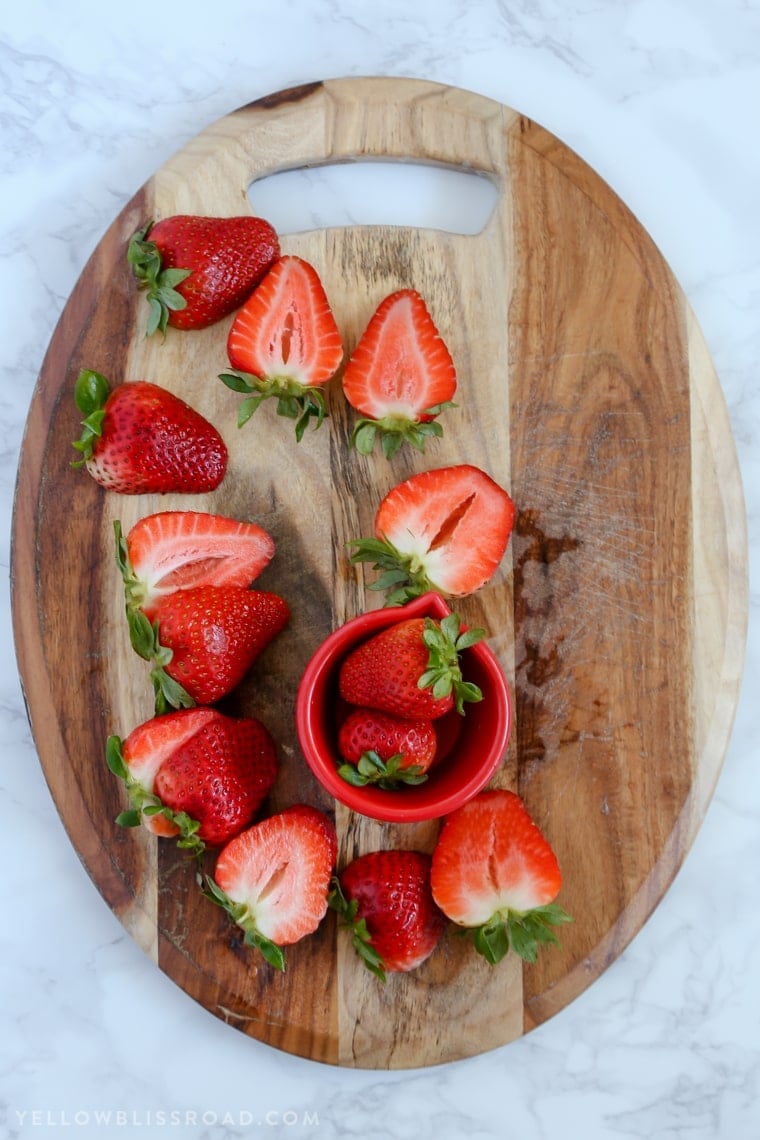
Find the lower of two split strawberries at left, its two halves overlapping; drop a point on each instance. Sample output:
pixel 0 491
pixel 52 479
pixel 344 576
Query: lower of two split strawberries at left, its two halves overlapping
pixel 195 773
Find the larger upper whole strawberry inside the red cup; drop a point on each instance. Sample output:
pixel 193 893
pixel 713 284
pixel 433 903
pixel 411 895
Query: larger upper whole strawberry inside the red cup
pixel 412 670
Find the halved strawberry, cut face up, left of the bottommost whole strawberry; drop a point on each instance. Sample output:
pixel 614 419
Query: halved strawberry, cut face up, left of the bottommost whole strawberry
pixel 274 880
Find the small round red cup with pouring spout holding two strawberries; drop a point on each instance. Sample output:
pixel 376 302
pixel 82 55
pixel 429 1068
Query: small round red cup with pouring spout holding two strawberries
pixel 471 747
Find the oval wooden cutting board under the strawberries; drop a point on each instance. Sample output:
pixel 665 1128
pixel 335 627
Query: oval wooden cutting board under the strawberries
pixel 619 613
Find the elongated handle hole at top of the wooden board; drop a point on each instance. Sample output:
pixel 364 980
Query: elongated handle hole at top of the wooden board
pixel 375 193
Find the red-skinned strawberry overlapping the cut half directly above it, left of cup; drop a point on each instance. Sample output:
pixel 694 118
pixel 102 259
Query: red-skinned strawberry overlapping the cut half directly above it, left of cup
pixel 203 641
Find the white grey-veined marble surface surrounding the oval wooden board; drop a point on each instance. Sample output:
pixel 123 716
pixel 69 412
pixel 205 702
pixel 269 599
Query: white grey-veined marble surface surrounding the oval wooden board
pixel 663 97
